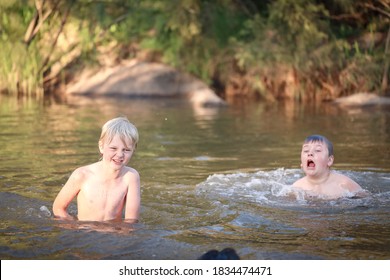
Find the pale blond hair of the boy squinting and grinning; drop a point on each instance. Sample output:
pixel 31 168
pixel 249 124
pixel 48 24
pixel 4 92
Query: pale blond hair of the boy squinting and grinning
pixel 119 126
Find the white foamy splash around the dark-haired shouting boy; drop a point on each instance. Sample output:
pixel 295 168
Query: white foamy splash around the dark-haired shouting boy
pixel 274 188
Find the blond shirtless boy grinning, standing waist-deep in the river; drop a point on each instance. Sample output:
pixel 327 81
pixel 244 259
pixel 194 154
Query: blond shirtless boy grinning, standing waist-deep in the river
pixel 107 187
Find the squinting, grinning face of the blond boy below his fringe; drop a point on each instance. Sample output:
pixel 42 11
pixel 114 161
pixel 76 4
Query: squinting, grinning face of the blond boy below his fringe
pixel 116 153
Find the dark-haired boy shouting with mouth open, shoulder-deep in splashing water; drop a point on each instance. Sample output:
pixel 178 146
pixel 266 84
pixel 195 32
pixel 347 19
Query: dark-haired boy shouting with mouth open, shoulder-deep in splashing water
pixel 316 159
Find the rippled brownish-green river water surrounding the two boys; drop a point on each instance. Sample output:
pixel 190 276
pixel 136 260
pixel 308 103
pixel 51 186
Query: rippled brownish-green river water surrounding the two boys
pixel 210 179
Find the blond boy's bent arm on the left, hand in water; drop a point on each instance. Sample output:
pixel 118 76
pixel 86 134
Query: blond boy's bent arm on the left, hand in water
pixel 66 195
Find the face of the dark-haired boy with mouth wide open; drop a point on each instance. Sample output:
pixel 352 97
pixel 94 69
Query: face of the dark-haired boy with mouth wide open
pixel 315 159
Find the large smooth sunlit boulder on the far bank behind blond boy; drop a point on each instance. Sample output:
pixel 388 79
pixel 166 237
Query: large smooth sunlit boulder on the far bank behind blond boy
pixel 143 79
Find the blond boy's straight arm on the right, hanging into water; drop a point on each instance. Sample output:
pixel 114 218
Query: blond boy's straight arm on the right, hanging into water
pixel 133 197
